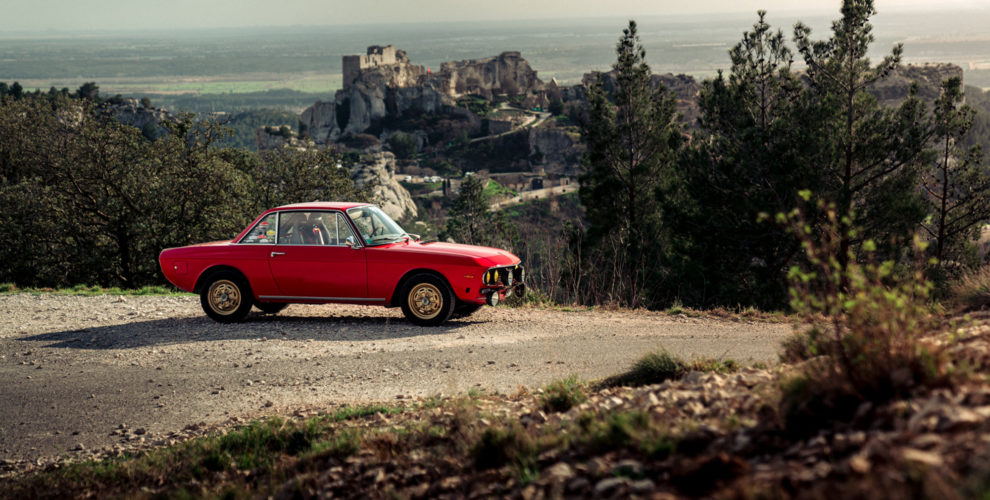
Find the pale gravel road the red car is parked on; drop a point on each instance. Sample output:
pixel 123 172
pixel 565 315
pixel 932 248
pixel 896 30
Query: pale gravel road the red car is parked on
pixel 74 369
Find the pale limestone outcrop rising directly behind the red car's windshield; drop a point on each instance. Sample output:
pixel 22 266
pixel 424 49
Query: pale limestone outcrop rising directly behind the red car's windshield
pixel 377 170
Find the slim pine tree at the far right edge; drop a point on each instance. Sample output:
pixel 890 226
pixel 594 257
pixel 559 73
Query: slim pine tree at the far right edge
pixel 957 183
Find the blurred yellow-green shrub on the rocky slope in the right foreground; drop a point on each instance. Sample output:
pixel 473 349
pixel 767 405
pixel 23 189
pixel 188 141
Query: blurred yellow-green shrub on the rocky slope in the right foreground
pixel 868 325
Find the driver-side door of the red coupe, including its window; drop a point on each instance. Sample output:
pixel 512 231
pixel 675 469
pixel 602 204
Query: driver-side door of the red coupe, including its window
pixel 312 259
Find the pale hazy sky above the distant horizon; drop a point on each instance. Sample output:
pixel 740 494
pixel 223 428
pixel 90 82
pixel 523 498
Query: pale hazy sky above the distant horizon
pixel 85 15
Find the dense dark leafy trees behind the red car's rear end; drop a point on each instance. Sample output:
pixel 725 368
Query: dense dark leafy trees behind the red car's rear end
pixel 95 201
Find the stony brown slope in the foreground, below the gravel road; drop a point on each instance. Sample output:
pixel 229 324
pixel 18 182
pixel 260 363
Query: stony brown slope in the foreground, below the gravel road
pixel 727 442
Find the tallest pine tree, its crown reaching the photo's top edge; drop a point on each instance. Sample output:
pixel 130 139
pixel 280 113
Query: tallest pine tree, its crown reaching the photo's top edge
pixel 869 153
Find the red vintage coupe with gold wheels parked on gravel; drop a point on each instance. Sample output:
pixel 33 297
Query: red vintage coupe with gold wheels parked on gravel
pixel 348 253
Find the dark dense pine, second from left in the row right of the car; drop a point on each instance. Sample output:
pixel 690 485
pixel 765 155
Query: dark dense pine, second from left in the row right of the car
pixel 749 157
